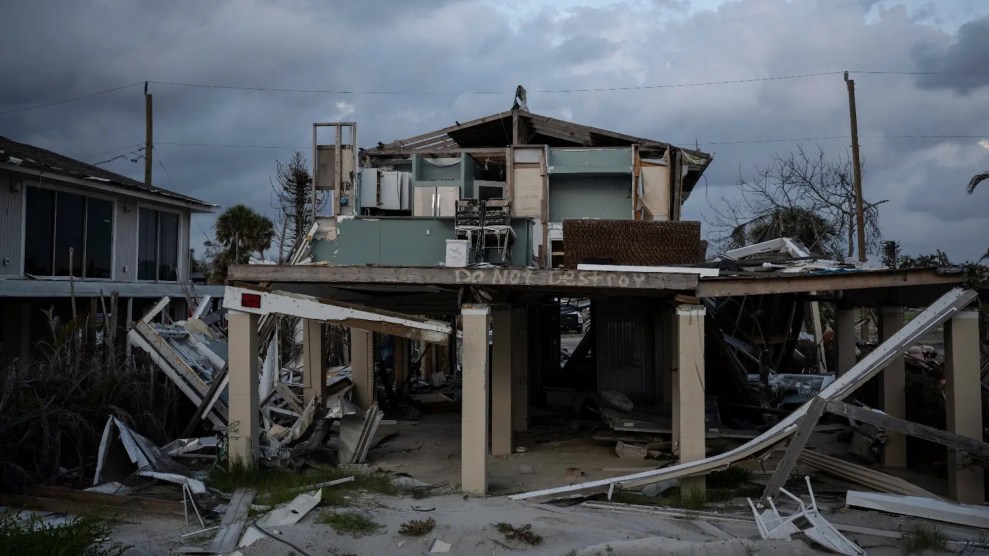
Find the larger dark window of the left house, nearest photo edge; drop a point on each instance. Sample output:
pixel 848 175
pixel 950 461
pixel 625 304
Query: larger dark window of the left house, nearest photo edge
pixel 57 222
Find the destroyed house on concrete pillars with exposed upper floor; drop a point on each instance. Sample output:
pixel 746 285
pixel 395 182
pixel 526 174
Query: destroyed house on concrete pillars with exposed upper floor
pixel 448 256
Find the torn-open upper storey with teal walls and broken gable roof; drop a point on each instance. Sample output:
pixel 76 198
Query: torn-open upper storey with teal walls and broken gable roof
pixel 402 208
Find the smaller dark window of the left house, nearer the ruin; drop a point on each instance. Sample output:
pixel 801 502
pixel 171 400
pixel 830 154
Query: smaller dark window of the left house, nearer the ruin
pixel 158 245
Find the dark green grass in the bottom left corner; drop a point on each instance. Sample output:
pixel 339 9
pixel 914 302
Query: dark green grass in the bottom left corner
pixel 82 535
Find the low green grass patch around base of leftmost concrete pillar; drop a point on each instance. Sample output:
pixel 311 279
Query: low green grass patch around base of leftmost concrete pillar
pixel 277 485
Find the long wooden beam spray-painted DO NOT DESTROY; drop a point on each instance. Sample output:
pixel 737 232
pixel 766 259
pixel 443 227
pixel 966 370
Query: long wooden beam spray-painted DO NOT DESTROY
pixel 551 279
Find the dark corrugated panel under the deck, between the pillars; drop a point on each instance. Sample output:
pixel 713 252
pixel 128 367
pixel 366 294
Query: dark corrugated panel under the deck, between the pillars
pixel 625 349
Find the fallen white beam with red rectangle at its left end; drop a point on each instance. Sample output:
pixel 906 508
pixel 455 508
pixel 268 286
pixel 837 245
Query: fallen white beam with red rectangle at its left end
pixel 262 301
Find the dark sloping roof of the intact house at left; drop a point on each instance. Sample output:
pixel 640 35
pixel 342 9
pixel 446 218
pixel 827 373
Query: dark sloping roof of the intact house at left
pixel 35 158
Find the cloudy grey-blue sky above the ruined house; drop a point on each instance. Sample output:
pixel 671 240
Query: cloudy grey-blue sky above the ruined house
pixel 400 68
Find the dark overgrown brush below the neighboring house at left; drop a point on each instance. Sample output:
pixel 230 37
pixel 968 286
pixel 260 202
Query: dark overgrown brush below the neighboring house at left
pixel 53 409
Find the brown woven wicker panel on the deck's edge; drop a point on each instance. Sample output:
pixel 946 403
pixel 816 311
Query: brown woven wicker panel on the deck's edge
pixel 626 242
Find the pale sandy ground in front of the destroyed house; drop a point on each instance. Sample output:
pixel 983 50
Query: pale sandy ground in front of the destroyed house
pixel 467 525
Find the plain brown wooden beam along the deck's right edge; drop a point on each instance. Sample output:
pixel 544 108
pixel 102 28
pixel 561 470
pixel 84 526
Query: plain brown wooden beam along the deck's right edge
pixel 727 287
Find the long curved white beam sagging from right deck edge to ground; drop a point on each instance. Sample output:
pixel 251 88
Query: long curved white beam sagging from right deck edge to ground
pixel 869 366
